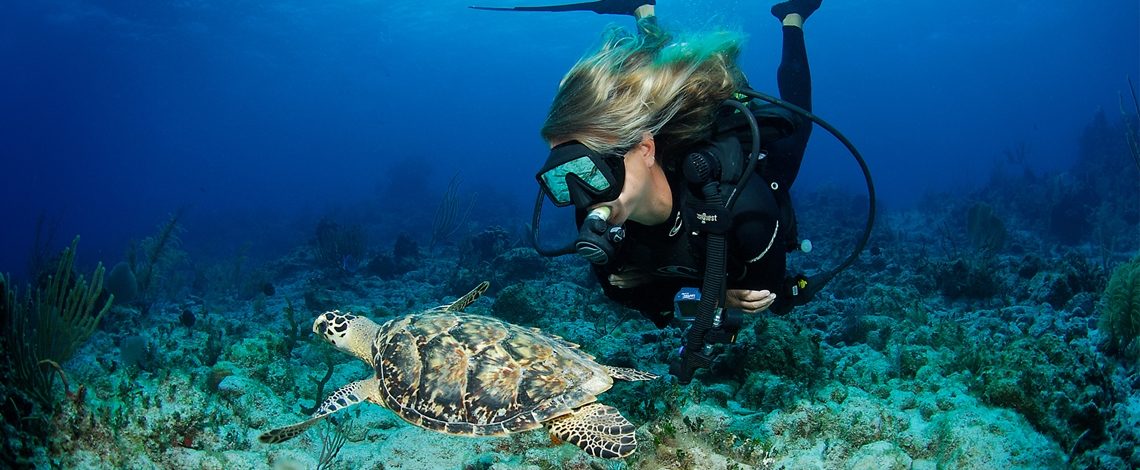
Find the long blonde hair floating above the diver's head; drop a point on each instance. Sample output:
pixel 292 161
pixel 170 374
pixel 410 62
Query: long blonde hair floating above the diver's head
pixel 655 84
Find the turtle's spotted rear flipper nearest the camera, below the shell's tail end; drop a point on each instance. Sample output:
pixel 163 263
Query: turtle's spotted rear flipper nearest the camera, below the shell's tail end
pixel 599 430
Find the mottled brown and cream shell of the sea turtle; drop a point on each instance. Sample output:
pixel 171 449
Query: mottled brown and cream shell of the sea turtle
pixel 476 376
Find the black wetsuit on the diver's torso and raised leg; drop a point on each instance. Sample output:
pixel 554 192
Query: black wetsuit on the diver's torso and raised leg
pixel 763 222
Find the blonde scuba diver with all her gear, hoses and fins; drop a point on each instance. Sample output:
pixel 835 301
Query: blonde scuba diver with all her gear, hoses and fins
pixel 680 180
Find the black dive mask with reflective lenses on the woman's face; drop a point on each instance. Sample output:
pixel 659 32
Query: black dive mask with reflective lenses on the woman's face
pixel 576 175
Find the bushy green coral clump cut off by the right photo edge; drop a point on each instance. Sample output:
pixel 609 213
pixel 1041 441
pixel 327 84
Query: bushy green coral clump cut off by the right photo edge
pixel 1120 312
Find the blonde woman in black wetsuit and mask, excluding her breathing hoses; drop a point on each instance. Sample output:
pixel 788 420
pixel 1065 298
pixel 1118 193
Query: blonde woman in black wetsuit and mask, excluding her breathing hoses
pixel 618 128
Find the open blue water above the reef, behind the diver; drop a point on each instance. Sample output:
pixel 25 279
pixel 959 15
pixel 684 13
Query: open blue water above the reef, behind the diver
pixel 254 117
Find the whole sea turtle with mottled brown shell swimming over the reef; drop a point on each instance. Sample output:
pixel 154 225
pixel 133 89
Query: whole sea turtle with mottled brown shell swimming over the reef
pixel 476 376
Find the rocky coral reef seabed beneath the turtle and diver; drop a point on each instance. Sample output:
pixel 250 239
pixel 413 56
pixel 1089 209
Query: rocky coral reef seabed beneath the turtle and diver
pixel 987 330
